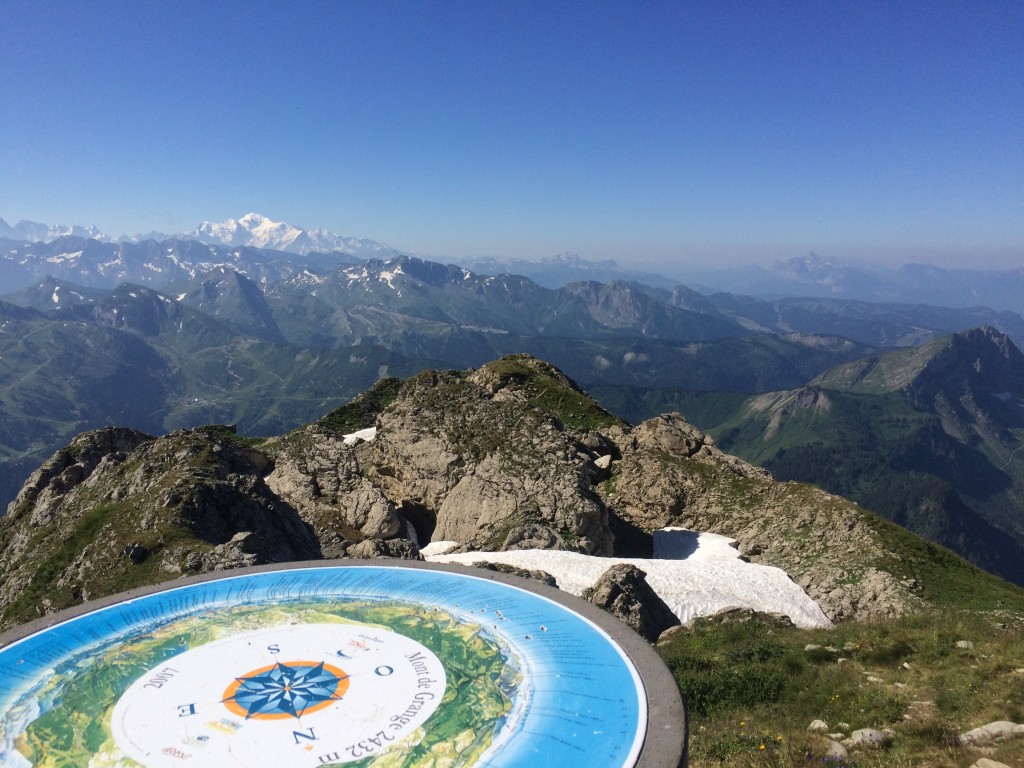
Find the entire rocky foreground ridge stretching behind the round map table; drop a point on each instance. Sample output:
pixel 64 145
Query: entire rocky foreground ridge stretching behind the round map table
pixel 510 456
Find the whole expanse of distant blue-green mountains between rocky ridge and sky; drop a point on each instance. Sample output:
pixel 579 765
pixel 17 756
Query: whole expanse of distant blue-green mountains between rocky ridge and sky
pixel 164 336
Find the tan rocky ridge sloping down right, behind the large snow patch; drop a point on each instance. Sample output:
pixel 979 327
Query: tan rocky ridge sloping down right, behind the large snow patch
pixel 671 476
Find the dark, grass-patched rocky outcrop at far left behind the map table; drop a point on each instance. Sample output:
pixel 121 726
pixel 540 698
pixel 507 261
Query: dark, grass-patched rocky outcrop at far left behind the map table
pixel 183 499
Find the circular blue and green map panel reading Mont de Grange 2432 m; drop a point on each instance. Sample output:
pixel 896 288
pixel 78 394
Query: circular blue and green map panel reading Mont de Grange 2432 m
pixel 358 666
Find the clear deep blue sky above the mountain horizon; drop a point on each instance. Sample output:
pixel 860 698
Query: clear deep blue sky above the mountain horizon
pixel 649 133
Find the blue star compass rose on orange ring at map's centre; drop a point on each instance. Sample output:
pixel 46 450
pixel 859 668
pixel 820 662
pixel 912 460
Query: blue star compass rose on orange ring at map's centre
pixel 286 691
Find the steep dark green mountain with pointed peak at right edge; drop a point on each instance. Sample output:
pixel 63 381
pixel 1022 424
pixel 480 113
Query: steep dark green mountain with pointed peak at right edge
pixel 931 438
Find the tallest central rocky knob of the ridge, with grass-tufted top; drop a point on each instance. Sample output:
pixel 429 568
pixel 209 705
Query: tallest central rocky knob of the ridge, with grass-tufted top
pixel 486 467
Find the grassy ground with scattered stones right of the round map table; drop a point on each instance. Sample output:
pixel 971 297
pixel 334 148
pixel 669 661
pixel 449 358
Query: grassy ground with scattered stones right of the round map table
pixel 752 690
